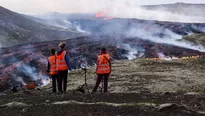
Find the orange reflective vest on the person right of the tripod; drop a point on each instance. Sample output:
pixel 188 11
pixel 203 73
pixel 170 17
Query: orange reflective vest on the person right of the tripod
pixel 103 66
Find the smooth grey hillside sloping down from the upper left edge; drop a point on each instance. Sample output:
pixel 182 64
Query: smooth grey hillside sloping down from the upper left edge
pixel 17 28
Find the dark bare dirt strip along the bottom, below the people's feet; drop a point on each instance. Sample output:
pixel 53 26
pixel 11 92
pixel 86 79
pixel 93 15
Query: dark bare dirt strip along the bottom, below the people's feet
pixel 113 104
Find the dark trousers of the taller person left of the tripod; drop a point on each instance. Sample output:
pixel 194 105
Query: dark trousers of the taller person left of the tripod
pixel 62 80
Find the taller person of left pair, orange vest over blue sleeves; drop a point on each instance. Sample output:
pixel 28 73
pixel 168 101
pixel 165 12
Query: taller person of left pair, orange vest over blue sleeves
pixel 62 66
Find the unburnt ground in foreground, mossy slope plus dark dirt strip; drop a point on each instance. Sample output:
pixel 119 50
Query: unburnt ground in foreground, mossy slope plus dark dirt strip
pixel 137 88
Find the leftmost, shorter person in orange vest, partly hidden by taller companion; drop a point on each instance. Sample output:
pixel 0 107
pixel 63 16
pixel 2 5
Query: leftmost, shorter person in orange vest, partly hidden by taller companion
pixel 52 69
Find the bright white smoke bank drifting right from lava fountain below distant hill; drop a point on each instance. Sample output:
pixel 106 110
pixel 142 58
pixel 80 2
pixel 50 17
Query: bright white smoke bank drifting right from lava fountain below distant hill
pixel 159 15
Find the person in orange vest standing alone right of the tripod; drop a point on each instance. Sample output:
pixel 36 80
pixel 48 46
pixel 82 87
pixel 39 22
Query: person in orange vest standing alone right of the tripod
pixel 103 69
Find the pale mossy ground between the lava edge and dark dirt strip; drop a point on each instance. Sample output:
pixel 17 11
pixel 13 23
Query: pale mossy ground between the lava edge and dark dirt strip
pixel 150 76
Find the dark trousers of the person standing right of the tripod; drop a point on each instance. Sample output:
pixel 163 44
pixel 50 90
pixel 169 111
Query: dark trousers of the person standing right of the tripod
pixel 99 79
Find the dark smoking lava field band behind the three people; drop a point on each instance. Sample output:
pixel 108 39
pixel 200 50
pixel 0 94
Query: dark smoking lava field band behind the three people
pixel 16 60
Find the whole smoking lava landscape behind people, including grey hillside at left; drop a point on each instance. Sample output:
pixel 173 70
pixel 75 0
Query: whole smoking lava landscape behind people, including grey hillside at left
pixel 85 35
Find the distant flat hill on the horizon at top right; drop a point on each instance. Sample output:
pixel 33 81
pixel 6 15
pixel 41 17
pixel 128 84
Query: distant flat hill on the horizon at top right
pixel 180 8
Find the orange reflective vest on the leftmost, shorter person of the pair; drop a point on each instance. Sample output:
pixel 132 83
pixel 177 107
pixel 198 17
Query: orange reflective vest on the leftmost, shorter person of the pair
pixel 52 61
